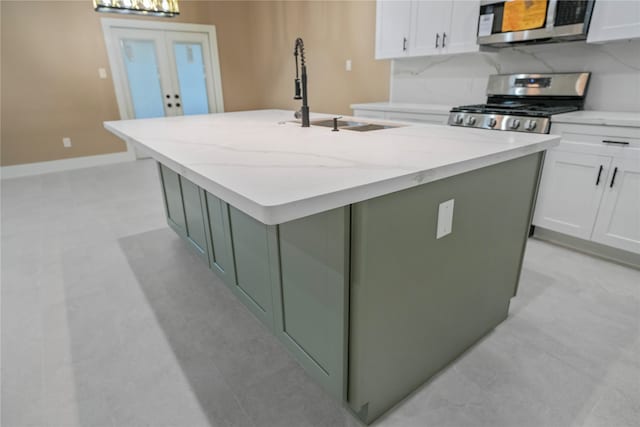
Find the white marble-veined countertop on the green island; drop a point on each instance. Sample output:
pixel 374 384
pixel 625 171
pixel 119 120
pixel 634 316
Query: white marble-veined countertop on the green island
pixel 276 171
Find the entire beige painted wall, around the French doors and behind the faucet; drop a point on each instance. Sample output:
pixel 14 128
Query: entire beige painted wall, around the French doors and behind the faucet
pixel 51 52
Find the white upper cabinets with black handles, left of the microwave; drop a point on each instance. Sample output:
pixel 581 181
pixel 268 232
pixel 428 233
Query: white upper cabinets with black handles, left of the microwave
pixel 426 27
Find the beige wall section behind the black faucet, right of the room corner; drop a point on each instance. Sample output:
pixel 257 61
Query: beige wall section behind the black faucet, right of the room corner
pixel 333 31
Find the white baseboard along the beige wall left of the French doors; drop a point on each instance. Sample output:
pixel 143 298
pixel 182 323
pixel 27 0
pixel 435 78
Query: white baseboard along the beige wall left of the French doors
pixel 29 169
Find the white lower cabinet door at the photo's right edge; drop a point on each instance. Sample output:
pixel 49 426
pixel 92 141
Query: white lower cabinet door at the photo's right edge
pixel 618 221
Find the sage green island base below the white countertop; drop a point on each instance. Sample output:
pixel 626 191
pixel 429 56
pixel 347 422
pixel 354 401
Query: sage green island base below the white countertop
pixel 366 297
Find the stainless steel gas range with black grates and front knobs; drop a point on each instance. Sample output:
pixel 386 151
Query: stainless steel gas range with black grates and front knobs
pixel 524 102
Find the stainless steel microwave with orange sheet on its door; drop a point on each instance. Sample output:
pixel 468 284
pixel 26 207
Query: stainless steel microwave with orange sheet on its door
pixel 504 23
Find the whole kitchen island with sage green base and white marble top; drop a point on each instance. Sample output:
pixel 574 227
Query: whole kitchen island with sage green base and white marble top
pixel 376 257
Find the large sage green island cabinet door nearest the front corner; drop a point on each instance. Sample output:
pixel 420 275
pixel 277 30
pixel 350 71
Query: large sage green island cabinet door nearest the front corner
pixel 312 295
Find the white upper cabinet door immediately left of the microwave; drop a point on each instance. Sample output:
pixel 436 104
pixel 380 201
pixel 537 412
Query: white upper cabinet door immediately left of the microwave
pixel 463 32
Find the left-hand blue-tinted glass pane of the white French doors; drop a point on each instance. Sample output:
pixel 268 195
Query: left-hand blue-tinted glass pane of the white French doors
pixel 141 65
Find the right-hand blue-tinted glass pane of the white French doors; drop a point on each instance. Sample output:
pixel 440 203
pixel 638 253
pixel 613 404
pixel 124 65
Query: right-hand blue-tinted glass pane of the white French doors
pixel 191 77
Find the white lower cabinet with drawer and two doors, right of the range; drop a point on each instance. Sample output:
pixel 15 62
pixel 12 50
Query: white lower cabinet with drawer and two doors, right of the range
pixel 590 186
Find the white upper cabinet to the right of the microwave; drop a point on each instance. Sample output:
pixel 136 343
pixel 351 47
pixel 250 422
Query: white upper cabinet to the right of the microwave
pixel 614 20
